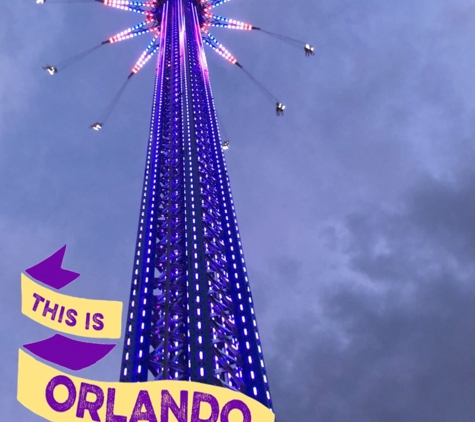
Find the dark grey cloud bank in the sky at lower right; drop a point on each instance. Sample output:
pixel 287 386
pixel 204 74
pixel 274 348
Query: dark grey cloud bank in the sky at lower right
pixel 399 347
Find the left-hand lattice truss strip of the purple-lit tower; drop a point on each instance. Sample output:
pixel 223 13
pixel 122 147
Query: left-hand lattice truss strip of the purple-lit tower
pixel 169 339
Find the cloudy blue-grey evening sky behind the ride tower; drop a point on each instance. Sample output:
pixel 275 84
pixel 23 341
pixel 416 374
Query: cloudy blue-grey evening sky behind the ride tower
pixel 356 208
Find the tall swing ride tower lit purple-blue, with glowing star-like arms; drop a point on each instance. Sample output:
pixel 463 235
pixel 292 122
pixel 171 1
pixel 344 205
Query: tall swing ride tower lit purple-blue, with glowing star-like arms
pixel 191 314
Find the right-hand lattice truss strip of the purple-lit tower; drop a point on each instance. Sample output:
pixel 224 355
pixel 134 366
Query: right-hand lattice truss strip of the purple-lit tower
pixel 226 358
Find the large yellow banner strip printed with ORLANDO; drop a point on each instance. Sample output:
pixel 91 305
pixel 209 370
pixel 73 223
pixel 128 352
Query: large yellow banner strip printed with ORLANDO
pixel 59 397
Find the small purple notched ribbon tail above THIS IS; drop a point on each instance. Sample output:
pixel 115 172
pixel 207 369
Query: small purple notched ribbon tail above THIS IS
pixel 50 272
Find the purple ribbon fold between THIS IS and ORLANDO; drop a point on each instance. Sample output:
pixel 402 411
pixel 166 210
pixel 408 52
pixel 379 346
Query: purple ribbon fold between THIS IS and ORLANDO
pixel 68 353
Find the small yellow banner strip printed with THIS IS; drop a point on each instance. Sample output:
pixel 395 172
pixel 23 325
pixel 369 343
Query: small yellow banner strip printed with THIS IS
pixel 70 315
